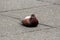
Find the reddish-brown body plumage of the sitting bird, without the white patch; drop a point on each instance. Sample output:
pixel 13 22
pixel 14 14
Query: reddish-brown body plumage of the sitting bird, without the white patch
pixel 31 21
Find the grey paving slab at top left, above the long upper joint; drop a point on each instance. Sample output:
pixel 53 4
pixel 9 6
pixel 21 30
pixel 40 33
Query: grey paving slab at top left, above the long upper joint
pixel 19 4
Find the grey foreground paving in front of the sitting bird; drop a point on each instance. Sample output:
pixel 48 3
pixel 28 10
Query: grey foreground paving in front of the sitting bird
pixel 10 29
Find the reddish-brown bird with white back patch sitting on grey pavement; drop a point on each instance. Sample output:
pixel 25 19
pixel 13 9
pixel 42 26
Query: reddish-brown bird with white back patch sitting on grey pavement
pixel 30 21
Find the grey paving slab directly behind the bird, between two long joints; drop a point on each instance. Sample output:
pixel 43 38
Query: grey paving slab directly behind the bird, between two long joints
pixel 46 14
